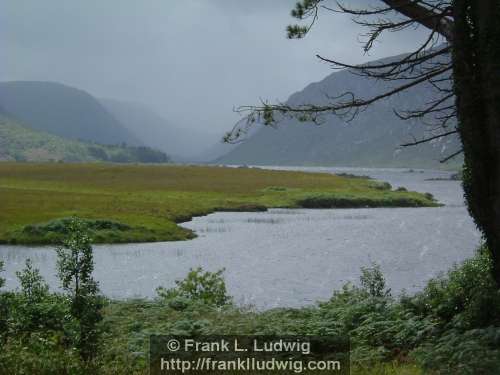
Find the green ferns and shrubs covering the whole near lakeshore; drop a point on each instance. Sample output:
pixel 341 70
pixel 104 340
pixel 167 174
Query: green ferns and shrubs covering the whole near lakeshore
pixel 451 327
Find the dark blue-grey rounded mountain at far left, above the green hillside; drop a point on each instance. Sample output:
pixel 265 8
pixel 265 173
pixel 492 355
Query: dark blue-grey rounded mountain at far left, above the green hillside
pixel 62 110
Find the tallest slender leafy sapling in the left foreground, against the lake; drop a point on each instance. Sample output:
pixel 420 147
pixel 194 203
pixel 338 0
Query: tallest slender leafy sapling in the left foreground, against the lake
pixel 75 265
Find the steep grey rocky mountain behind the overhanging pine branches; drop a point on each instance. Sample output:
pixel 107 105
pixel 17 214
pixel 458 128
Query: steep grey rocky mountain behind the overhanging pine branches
pixel 371 139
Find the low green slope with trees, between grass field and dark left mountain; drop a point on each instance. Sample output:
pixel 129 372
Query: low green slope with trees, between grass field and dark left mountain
pixel 20 143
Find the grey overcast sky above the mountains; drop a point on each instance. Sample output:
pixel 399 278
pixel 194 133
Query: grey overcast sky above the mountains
pixel 193 61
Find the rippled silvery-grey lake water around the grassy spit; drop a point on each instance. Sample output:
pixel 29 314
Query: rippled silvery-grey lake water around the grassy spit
pixel 290 257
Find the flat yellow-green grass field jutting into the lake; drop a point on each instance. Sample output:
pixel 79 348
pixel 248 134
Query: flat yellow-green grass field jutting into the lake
pixel 144 203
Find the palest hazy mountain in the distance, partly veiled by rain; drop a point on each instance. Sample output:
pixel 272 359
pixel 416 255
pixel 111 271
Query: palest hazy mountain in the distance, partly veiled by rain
pixel 155 131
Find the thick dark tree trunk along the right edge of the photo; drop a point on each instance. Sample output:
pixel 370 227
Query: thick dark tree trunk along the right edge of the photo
pixel 476 59
